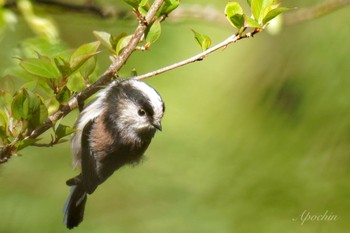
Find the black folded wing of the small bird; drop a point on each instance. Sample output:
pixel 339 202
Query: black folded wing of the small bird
pixel 90 179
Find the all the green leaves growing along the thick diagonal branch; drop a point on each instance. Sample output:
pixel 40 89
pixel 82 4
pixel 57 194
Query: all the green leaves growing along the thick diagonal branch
pixel 54 80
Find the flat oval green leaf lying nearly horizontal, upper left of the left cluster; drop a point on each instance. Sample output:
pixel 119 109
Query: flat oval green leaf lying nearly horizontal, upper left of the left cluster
pixel 40 68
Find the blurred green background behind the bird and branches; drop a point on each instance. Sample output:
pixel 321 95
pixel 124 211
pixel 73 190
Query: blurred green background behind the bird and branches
pixel 253 136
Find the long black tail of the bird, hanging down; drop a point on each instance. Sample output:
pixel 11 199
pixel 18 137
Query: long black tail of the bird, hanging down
pixel 74 207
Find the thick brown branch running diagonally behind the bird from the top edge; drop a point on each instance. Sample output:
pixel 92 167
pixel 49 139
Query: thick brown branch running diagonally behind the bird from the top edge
pixel 7 151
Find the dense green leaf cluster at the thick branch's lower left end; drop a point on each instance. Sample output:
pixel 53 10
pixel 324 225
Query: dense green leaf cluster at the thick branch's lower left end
pixel 52 81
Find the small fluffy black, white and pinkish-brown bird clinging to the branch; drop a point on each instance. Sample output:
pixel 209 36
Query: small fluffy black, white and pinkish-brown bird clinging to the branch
pixel 114 130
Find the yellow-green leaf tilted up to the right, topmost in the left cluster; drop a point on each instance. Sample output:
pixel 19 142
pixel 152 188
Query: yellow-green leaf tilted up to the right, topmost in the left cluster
pixel 82 54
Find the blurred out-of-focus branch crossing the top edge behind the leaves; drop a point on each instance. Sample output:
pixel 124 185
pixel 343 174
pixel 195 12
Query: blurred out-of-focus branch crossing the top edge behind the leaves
pixel 191 11
